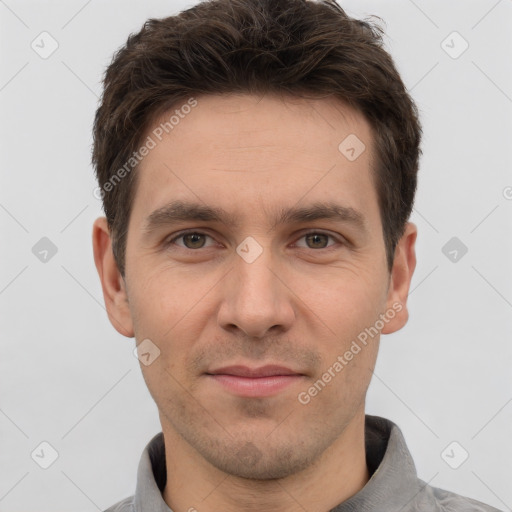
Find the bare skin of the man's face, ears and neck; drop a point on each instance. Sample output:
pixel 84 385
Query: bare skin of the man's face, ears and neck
pixel 300 304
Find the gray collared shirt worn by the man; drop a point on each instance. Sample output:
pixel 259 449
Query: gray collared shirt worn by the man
pixel 393 486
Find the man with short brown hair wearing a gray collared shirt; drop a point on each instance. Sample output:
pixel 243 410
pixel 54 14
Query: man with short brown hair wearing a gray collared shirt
pixel 230 140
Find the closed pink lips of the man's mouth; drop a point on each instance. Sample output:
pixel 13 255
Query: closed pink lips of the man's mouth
pixel 255 382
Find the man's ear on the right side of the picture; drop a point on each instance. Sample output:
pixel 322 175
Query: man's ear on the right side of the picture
pixel 404 264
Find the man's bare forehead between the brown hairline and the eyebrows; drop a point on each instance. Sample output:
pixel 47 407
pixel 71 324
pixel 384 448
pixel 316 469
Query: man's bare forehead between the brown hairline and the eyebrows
pixel 251 151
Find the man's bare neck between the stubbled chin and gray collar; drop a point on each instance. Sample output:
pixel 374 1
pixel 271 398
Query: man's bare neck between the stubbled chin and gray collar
pixel 193 484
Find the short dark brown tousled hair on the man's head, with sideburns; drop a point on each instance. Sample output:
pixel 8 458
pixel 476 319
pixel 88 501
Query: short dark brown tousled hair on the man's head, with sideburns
pixel 296 47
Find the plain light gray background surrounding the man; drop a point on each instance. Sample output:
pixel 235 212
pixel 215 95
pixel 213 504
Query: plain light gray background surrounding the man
pixel 68 378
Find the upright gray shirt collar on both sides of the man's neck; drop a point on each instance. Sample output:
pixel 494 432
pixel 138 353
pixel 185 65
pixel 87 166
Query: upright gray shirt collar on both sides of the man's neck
pixel 392 485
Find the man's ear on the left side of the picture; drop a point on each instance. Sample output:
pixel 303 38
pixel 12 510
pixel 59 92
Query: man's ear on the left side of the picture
pixel 112 283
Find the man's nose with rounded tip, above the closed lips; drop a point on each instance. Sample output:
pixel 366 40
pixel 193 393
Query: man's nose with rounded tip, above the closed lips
pixel 256 298
